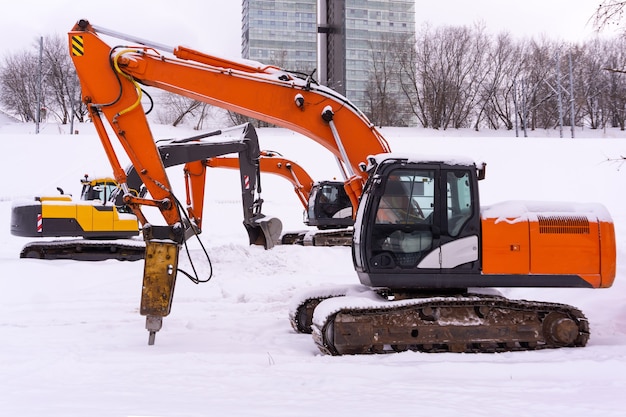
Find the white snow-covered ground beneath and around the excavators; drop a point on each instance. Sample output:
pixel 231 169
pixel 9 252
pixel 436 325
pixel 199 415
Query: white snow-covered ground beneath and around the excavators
pixel 73 342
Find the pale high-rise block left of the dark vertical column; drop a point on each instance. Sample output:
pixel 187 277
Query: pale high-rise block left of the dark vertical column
pixel 282 33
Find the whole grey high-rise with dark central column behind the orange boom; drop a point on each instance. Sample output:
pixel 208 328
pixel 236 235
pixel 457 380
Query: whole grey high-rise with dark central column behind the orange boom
pixel 352 34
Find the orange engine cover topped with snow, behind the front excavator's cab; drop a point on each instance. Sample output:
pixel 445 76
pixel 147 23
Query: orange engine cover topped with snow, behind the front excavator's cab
pixel 533 238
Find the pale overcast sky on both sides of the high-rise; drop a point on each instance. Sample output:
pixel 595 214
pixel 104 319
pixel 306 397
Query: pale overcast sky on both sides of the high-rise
pixel 214 26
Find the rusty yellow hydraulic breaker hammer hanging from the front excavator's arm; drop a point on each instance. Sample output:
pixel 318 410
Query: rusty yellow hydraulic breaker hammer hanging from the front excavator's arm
pixel 159 278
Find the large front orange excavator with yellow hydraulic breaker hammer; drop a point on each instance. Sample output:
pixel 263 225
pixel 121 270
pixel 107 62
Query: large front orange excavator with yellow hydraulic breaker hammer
pixel 421 239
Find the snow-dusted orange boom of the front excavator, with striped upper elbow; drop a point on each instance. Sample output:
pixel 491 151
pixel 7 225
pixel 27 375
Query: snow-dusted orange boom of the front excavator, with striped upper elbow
pixel 263 92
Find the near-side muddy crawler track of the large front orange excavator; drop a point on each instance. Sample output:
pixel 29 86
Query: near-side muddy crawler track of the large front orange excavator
pixel 449 324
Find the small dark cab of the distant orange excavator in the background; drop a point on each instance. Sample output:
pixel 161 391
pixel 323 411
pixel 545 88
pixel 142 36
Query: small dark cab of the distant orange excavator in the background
pixel 329 206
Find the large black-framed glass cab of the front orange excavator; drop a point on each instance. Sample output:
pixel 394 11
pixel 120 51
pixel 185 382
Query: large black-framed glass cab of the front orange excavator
pixel 418 225
